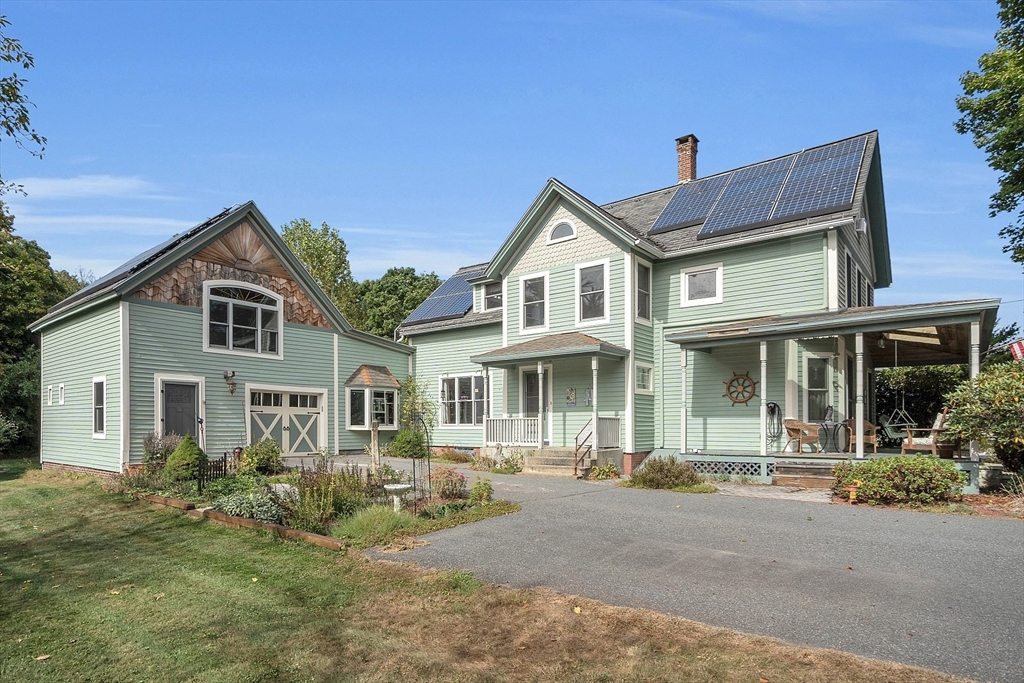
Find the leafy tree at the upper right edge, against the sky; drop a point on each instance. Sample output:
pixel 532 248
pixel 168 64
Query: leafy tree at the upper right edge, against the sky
pixel 994 114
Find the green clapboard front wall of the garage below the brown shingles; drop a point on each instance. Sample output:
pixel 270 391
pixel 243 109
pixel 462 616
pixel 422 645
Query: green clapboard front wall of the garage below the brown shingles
pixel 167 339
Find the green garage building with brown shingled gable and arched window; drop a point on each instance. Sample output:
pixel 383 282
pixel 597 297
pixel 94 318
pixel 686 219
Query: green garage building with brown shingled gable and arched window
pixel 220 333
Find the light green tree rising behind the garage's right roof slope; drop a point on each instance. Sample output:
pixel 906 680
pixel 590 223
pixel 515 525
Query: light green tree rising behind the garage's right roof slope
pixel 325 255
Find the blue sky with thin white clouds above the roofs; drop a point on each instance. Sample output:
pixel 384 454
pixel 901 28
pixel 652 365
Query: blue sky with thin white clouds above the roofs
pixel 423 132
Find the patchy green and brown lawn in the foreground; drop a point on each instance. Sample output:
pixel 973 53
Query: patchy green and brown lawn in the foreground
pixel 117 590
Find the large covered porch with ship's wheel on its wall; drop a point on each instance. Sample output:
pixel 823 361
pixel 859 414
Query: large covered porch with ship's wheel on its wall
pixel 818 369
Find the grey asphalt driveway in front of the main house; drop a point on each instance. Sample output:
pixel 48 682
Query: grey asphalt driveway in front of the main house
pixel 931 590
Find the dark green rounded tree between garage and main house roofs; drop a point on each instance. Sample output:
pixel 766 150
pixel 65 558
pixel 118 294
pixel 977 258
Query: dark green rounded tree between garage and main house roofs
pixel 388 302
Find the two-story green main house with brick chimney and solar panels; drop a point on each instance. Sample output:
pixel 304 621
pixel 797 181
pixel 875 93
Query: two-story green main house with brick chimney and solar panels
pixel 687 321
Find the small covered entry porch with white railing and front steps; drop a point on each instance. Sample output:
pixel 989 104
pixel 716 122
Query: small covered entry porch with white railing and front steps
pixel 562 392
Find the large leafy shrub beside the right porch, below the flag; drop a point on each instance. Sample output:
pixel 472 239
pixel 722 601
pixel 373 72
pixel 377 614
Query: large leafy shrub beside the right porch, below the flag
pixel 991 410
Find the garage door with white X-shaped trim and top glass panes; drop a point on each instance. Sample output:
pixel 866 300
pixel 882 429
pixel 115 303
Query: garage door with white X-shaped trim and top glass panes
pixel 294 420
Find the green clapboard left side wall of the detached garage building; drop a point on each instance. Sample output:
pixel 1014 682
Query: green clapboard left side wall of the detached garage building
pixel 73 354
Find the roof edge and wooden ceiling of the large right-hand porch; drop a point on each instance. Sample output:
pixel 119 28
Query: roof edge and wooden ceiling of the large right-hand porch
pixel 921 334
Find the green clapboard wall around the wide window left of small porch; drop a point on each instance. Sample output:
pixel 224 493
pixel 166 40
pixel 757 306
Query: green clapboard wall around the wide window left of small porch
pixel 448 353
